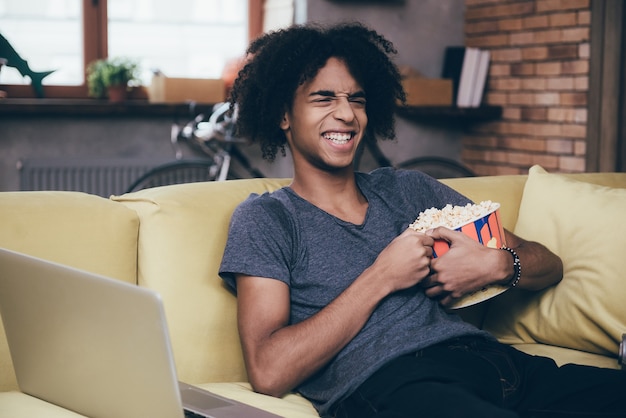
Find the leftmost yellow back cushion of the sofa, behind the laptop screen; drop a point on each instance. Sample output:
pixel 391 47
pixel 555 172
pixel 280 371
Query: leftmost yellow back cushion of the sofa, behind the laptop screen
pixel 76 229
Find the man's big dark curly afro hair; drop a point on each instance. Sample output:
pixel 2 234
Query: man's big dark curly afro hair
pixel 280 61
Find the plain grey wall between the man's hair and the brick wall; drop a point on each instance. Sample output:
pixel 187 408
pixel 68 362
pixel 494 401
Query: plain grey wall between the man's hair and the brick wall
pixel 420 31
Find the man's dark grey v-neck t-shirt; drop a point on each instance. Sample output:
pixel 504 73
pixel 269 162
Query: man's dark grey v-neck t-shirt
pixel 283 237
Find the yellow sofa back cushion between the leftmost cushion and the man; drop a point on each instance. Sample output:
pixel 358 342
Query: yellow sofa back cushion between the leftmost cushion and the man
pixel 182 235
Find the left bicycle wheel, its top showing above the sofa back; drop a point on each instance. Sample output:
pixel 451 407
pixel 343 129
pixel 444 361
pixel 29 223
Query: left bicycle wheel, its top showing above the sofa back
pixel 177 172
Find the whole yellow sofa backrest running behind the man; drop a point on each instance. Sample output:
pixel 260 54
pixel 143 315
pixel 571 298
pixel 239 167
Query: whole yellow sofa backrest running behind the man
pixel 171 239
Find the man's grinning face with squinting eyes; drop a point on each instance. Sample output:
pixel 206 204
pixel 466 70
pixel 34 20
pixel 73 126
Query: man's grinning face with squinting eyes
pixel 327 120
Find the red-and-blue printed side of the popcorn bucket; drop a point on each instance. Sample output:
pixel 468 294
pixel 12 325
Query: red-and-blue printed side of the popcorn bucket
pixel 486 229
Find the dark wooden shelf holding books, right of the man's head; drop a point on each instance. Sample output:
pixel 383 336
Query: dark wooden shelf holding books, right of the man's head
pixel 450 114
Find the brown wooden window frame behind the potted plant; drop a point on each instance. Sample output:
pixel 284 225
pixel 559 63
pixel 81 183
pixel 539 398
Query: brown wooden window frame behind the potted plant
pixel 95 46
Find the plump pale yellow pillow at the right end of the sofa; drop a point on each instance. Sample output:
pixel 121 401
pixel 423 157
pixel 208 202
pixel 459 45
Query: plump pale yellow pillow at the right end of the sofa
pixel 584 224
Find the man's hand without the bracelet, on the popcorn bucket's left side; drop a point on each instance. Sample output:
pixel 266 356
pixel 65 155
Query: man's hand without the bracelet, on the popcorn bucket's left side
pixel 406 260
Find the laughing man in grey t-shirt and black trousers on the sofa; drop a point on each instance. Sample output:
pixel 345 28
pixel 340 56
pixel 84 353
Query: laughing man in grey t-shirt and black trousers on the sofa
pixel 337 299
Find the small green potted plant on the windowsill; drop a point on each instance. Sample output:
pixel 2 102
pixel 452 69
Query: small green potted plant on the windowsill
pixel 111 77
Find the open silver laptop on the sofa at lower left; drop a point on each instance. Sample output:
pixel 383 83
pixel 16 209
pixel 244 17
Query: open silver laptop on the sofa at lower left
pixel 96 346
